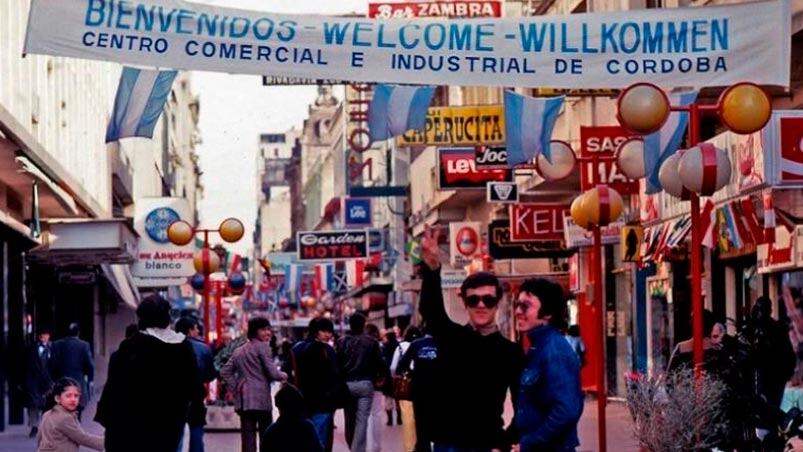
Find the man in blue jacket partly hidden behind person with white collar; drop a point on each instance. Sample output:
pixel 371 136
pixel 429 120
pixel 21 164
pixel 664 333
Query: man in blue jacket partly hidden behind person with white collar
pixel 206 370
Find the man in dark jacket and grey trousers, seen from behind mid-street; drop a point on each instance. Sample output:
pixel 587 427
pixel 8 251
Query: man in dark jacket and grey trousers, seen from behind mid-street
pixel 360 361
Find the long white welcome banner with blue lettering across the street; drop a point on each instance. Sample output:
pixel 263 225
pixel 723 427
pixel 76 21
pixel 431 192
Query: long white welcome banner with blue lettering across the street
pixel 698 46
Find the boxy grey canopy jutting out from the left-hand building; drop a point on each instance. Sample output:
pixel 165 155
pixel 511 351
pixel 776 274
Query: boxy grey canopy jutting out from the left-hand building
pixel 86 242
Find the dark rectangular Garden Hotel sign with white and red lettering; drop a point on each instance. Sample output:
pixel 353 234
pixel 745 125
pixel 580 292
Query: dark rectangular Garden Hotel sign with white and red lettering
pixel 332 245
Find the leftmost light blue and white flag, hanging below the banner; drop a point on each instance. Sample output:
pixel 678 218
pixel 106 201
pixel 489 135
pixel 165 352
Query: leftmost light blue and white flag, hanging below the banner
pixel 141 96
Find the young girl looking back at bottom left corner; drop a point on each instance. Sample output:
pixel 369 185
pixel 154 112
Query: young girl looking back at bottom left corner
pixel 59 430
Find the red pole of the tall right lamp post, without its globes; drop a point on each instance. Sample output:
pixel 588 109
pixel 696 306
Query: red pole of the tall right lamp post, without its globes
pixel 696 258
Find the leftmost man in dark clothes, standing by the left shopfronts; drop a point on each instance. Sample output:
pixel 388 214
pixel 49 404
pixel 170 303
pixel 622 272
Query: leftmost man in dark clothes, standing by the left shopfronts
pixel 37 379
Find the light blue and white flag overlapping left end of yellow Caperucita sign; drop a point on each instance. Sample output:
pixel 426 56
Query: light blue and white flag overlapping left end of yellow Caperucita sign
pixel 396 109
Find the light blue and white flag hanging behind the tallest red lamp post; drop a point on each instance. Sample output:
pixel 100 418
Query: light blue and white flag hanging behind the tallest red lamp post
pixel 660 145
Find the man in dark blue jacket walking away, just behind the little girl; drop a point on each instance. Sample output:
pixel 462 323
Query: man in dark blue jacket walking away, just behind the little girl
pixel 71 357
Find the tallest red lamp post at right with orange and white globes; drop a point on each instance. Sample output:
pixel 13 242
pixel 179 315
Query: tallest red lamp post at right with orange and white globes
pixel 744 108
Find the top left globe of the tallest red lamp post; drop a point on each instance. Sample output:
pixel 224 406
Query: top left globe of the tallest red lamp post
pixel 642 108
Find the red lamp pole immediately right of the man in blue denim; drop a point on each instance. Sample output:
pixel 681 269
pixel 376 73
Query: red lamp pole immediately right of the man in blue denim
pixel 599 298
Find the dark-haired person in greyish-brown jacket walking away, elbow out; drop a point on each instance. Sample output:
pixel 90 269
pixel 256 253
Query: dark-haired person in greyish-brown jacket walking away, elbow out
pixel 250 372
